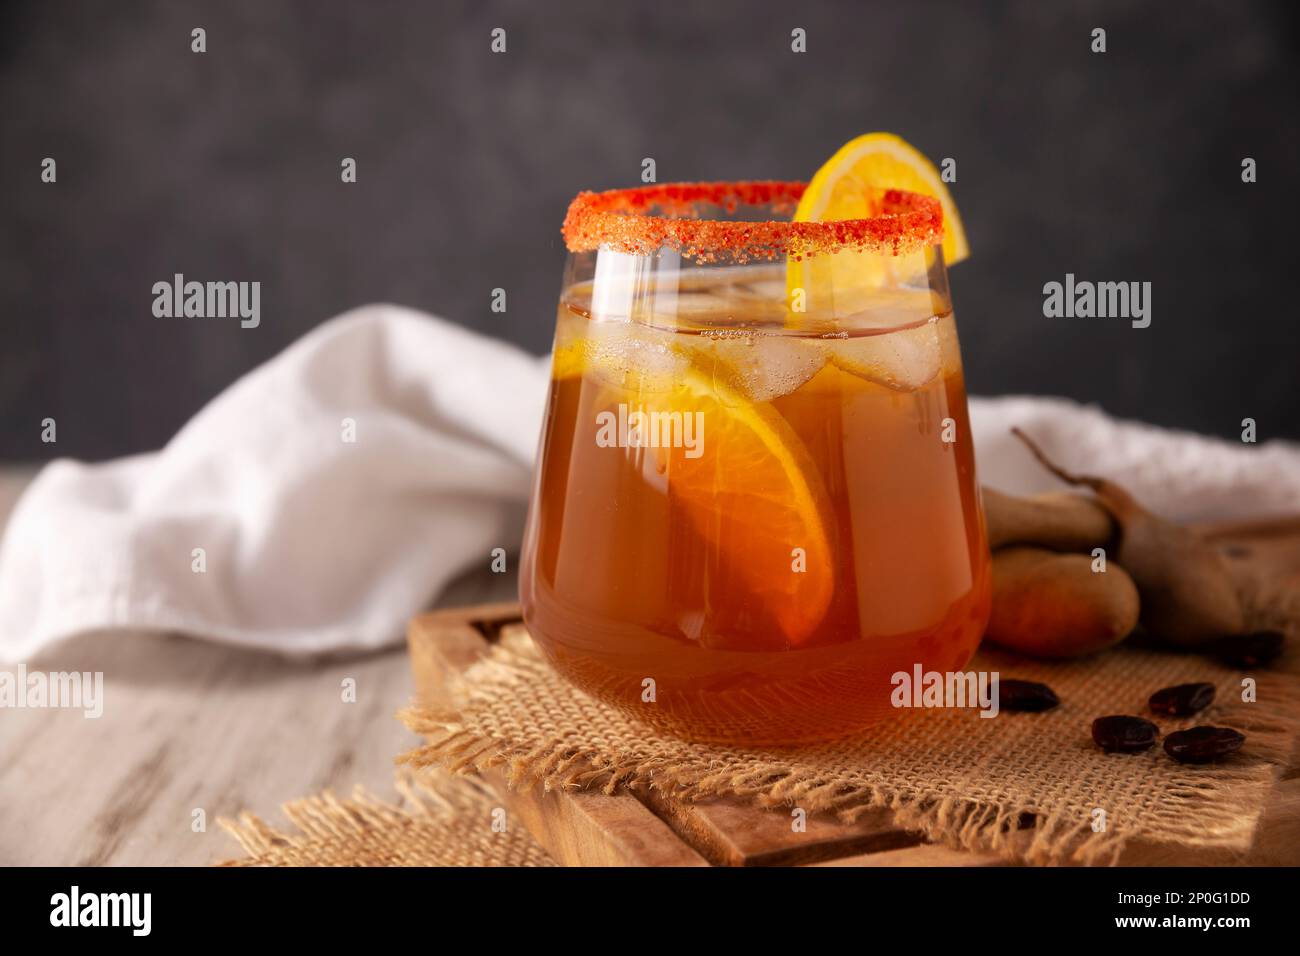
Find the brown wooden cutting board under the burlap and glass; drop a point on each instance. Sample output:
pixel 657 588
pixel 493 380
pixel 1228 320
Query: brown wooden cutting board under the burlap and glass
pixel 592 829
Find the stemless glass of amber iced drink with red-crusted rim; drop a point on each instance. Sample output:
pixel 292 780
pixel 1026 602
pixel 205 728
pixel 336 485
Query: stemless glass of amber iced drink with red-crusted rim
pixel 756 499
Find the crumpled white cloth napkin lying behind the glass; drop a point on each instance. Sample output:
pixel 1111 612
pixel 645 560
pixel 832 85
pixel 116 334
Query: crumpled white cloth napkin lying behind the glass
pixel 314 543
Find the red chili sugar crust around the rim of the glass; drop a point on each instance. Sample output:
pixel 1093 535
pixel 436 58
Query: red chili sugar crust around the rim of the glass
pixel 648 219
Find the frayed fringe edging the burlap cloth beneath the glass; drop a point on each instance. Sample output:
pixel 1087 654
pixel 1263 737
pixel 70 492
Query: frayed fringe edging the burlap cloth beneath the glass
pixel 1012 832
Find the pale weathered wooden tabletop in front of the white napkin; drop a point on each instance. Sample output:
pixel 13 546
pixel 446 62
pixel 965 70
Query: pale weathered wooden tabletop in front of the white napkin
pixel 192 725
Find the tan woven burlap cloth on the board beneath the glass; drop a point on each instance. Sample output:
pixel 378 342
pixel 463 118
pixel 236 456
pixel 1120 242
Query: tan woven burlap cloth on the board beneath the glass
pixel 961 780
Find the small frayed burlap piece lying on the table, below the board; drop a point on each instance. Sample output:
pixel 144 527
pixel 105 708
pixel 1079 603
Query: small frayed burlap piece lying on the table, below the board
pixel 440 823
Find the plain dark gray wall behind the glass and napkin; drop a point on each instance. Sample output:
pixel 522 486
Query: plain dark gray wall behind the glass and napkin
pixel 226 166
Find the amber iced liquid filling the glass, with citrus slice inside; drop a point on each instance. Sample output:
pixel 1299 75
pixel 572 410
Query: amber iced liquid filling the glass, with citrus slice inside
pixel 651 585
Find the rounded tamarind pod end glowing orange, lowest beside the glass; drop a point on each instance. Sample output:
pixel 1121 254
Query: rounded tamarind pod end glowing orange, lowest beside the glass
pixel 1055 605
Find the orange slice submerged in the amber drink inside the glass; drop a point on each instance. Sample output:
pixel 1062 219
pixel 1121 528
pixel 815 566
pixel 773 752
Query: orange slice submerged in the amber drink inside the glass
pixel 752 492
